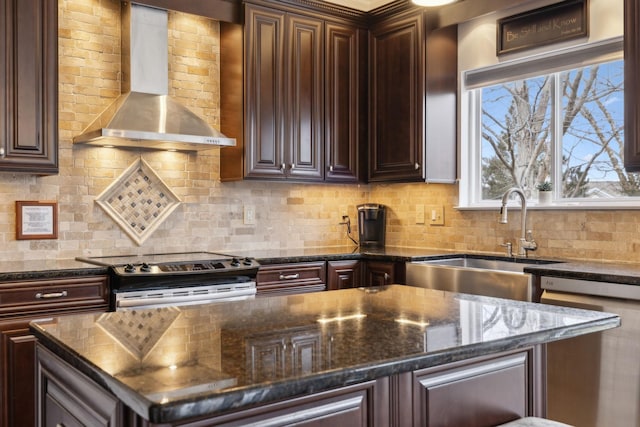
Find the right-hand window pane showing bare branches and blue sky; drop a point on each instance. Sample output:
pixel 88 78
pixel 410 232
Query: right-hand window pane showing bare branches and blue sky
pixel 593 133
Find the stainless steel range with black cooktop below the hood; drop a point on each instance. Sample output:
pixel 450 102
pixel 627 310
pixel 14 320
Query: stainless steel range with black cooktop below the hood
pixel 156 280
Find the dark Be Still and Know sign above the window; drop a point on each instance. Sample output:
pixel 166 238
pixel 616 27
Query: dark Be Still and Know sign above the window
pixel 551 24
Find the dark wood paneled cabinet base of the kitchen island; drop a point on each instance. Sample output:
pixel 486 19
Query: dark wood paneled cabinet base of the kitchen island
pixel 480 392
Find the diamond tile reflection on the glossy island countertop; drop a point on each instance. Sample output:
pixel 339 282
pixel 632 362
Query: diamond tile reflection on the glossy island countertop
pixel 138 331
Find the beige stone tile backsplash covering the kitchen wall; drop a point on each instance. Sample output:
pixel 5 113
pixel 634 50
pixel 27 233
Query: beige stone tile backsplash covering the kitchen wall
pixel 211 214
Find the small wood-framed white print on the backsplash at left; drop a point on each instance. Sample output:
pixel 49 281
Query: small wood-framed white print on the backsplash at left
pixel 36 220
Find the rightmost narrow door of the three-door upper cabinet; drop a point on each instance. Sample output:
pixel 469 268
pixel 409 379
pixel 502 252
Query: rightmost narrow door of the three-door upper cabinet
pixel 345 137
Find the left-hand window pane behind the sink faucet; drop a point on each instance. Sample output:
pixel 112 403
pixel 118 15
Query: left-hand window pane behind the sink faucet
pixel 516 135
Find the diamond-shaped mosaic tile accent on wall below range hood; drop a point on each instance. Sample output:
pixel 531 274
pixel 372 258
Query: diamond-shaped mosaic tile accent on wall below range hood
pixel 138 201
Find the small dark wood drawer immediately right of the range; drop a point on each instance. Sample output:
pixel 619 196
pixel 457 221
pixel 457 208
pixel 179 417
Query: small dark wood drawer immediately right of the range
pixel 292 278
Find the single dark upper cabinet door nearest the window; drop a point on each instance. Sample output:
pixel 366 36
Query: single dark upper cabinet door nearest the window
pixel 397 88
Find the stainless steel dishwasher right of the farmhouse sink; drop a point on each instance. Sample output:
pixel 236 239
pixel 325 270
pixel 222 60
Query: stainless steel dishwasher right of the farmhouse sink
pixel 594 380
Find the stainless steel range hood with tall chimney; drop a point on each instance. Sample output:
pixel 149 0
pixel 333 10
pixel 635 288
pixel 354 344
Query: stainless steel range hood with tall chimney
pixel 145 116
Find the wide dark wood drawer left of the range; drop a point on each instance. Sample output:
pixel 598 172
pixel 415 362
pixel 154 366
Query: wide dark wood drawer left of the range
pixel 78 293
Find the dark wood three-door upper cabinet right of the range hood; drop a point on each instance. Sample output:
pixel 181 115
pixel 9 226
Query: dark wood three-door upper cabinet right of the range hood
pixel 304 97
